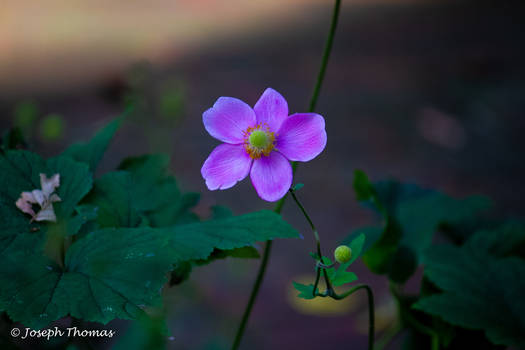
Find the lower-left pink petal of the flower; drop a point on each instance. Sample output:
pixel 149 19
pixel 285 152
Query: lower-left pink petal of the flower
pixel 226 165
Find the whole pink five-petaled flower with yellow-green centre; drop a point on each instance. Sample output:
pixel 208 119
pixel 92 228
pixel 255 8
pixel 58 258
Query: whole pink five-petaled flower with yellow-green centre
pixel 260 141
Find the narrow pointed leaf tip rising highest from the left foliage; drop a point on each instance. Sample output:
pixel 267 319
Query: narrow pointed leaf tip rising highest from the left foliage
pixel 91 152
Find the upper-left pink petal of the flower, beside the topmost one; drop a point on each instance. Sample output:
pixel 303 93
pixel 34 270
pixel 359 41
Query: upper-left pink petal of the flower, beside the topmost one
pixel 228 119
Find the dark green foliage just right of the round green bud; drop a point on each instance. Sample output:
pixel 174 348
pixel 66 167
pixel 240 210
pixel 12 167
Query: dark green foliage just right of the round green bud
pixel 410 216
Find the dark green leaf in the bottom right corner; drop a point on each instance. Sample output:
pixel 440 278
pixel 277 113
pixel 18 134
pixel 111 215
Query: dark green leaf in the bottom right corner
pixel 479 292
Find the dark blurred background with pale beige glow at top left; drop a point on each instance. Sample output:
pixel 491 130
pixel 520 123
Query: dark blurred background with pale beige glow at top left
pixel 431 92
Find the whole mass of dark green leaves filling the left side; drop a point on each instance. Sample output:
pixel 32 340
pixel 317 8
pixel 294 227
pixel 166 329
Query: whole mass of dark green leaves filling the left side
pixel 115 241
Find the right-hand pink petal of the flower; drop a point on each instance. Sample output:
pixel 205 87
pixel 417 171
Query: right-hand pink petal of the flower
pixel 301 137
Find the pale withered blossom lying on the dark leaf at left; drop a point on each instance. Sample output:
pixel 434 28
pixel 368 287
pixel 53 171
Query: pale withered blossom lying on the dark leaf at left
pixel 44 198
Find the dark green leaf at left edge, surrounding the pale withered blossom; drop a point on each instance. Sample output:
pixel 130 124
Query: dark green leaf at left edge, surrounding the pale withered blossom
pixel 21 172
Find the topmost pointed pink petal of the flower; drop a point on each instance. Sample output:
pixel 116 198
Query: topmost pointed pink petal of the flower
pixel 271 109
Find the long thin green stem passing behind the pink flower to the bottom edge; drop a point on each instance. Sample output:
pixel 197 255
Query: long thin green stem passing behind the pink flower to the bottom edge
pixel 279 206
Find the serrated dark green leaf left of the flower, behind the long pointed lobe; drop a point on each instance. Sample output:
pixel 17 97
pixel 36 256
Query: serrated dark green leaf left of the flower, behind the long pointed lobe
pixel 141 193
